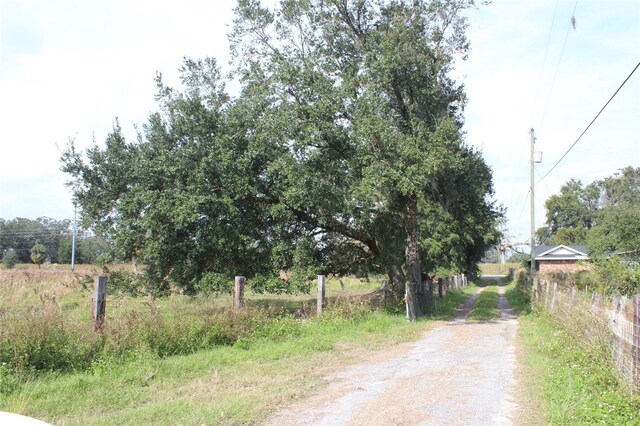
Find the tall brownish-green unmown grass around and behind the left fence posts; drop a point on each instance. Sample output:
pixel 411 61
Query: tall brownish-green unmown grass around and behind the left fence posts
pixel 45 325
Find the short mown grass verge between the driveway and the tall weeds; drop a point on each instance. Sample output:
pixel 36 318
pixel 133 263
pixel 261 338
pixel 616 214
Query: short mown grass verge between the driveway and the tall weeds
pixel 225 385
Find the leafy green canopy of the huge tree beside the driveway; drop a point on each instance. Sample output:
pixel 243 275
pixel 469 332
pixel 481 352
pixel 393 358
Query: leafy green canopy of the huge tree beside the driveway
pixel 343 153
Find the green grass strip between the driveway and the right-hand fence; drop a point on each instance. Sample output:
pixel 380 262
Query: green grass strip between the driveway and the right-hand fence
pixel 564 381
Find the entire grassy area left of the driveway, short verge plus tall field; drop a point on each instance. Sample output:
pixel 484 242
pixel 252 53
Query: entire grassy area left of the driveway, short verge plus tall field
pixel 179 359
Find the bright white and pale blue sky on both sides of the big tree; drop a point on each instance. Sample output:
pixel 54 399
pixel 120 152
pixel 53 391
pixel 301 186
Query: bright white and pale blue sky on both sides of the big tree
pixel 69 68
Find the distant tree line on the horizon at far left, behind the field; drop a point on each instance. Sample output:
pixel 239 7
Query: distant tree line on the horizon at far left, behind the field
pixel 19 236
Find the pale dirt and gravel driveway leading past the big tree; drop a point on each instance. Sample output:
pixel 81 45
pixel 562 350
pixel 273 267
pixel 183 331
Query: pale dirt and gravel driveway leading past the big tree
pixel 460 373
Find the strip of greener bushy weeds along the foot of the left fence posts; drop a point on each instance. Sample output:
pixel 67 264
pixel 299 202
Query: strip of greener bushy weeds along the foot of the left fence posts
pixel 48 340
